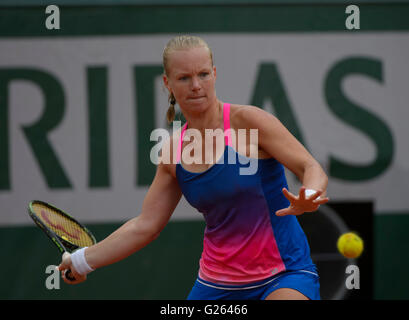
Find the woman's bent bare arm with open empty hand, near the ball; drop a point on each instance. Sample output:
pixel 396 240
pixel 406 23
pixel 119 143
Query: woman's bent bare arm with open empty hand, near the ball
pixel 278 142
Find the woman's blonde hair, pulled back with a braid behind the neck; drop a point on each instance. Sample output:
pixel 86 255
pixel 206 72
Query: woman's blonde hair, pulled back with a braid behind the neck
pixel 182 42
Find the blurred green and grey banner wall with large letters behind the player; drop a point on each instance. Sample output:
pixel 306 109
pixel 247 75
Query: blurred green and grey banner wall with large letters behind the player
pixel 81 91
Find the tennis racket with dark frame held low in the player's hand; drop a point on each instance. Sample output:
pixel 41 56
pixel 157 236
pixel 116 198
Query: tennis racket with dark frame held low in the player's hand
pixel 65 232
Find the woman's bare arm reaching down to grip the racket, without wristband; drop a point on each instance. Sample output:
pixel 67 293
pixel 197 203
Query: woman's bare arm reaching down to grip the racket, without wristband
pixel 159 203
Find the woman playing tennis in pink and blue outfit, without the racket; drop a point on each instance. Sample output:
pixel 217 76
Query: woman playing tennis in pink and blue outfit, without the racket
pixel 254 247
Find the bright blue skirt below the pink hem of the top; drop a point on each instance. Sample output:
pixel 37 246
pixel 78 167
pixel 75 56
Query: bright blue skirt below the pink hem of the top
pixel 304 281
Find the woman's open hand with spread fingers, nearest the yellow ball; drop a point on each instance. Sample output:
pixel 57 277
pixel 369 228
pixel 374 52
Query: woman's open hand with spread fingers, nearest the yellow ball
pixel 300 204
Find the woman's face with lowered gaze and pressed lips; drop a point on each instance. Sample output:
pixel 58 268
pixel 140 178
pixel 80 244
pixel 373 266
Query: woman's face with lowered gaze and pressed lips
pixel 191 78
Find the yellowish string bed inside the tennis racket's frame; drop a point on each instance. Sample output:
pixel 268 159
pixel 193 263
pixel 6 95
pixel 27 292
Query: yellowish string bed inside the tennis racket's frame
pixel 62 226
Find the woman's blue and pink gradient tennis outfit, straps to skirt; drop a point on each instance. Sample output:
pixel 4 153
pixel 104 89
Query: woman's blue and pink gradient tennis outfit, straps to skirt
pixel 248 252
